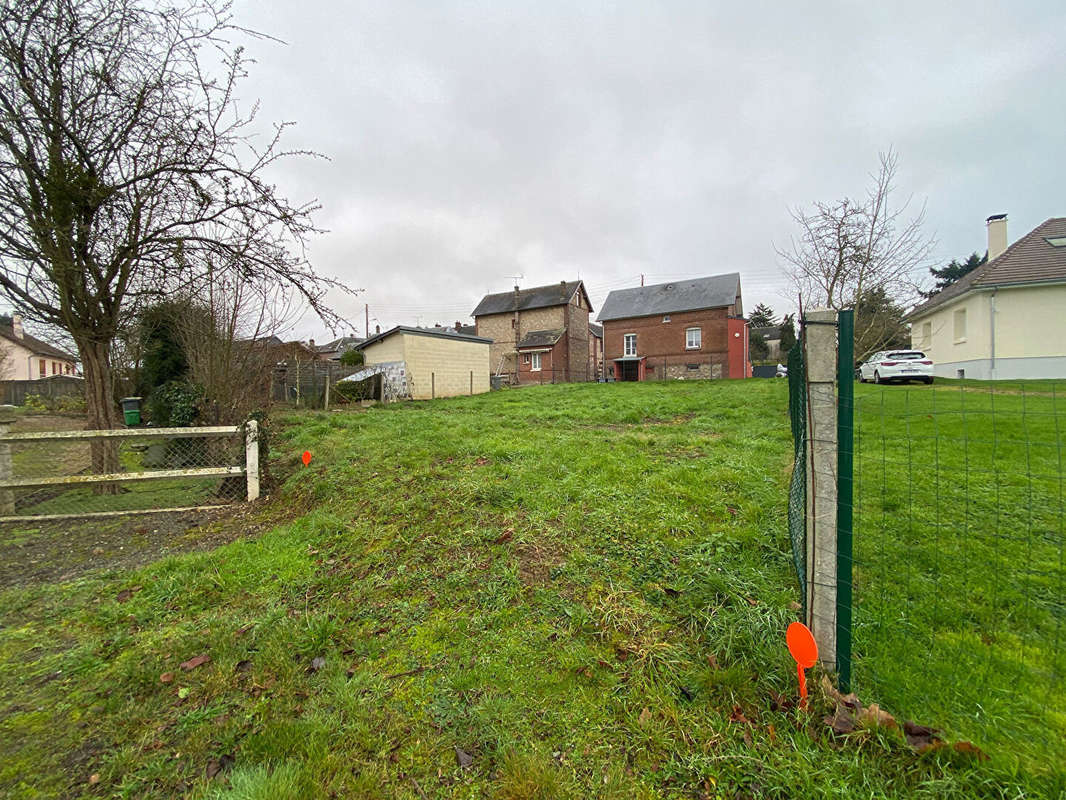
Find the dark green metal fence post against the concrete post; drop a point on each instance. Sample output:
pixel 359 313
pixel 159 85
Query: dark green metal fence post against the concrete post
pixel 846 467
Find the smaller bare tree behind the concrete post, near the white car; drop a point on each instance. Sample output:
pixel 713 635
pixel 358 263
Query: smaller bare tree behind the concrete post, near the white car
pixel 861 254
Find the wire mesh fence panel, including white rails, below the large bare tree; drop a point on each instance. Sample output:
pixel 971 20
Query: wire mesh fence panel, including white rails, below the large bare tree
pixel 61 473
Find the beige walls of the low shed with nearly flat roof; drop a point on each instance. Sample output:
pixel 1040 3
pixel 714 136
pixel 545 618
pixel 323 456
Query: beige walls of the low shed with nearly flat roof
pixel 437 366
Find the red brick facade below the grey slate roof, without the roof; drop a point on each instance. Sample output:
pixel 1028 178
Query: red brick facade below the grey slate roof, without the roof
pixel 664 346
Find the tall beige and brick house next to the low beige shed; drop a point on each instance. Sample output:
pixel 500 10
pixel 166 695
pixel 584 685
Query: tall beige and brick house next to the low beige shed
pixel 540 335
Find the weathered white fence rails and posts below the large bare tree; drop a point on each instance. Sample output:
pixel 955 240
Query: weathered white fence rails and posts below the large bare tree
pixel 10 483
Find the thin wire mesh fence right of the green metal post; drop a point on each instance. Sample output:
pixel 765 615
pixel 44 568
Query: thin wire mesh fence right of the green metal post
pixel 959 561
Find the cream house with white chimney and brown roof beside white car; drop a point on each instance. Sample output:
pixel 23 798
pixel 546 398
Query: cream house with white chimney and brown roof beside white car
pixel 1007 319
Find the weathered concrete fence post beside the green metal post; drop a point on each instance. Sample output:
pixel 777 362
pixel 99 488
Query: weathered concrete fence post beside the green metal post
pixel 820 335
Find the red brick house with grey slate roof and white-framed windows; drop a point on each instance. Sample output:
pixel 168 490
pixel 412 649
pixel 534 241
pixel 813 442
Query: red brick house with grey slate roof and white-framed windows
pixel 682 330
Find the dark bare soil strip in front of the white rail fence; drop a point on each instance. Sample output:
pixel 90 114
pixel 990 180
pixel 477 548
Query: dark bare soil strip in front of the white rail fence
pixel 55 552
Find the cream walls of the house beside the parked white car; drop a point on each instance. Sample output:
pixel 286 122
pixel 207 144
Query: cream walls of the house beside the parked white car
pixel 1030 325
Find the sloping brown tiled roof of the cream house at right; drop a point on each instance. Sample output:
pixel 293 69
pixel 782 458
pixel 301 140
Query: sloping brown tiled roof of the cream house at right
pixel 1029 261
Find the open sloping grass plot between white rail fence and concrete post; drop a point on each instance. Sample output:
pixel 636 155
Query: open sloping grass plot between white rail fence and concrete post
pixel 555 593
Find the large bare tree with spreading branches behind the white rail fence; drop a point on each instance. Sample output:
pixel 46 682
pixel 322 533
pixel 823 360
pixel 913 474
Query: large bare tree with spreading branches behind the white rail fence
pixel 127 171
